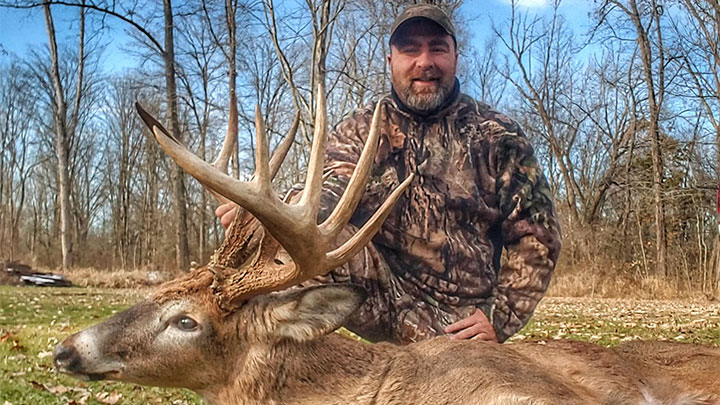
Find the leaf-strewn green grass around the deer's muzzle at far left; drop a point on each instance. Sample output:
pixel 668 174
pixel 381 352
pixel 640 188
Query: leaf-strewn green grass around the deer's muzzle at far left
pixel 34 320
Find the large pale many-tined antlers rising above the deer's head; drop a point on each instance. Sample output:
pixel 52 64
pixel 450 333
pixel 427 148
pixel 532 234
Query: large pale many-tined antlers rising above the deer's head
pixel 293 226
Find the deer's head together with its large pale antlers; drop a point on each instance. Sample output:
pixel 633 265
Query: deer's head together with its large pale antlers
pixel 209 322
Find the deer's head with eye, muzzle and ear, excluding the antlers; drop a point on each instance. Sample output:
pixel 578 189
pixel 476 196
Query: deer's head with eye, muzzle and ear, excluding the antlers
pixel 186 340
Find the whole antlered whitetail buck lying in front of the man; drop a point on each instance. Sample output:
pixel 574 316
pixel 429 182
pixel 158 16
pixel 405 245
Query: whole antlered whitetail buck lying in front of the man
pixel 225 332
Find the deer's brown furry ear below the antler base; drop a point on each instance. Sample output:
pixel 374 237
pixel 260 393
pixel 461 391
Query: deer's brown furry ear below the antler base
pixel 316 311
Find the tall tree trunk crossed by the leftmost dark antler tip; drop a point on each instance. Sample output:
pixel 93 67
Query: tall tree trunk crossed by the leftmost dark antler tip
pixel 182 251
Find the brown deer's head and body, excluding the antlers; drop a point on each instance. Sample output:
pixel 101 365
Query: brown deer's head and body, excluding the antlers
pixel 279 349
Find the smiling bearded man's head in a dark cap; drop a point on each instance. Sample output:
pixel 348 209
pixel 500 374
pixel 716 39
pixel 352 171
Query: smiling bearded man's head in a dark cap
pixel 423 61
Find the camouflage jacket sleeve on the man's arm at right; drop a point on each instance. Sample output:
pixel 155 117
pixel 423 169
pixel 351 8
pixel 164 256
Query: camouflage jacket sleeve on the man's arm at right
pixel 529 233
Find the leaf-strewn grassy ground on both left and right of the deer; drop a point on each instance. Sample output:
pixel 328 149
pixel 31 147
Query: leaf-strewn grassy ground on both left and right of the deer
pixel 34 320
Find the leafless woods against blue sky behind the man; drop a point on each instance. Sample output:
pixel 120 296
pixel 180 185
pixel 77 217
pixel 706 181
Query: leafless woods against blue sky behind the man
pixel 625 118
